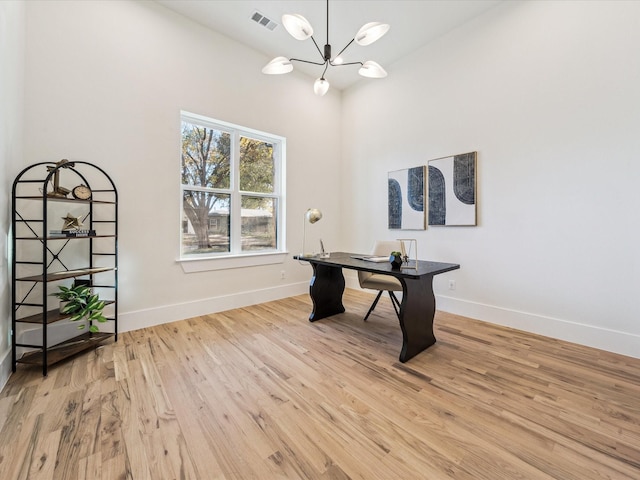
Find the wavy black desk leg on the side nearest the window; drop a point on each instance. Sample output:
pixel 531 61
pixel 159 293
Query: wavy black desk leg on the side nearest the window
pixel 326 289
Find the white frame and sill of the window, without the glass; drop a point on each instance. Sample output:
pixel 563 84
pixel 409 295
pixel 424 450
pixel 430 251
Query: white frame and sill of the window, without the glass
pixel 236 258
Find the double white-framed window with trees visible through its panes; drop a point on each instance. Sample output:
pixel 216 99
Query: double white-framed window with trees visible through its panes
pixel 232 190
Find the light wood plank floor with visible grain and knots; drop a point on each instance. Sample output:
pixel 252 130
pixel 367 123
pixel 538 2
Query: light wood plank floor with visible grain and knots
pixel 261 393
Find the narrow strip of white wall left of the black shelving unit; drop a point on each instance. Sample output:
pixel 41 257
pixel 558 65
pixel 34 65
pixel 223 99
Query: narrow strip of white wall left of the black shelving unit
pixel 12 31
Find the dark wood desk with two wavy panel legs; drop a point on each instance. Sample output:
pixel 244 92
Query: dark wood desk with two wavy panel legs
pixel 417 308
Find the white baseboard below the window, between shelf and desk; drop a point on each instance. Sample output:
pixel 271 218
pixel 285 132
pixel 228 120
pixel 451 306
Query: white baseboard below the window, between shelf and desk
pixel 171 313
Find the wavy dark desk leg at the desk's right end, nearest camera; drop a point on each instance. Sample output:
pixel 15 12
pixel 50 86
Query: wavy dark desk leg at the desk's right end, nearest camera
pixel 417 312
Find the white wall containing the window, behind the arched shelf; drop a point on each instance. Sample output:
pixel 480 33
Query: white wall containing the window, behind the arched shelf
pixel 105 83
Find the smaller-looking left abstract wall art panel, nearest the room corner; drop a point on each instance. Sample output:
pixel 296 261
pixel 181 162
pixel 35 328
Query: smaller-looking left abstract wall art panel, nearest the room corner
pixel 406 199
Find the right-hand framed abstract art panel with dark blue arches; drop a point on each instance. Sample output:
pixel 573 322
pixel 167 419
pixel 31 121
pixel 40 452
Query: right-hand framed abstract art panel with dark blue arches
pixel 452 190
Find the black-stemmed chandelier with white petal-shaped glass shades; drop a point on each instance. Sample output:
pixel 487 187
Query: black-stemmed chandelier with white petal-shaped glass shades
pixel 300 29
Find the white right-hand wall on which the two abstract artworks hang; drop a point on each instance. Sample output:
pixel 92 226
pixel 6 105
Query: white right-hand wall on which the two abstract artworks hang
pixel 548 94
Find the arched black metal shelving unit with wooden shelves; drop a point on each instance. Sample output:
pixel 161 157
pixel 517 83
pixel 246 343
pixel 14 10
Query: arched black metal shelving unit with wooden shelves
pixel 41 260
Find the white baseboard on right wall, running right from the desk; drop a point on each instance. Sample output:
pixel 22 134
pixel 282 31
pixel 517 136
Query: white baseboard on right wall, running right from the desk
pixel 614 341
